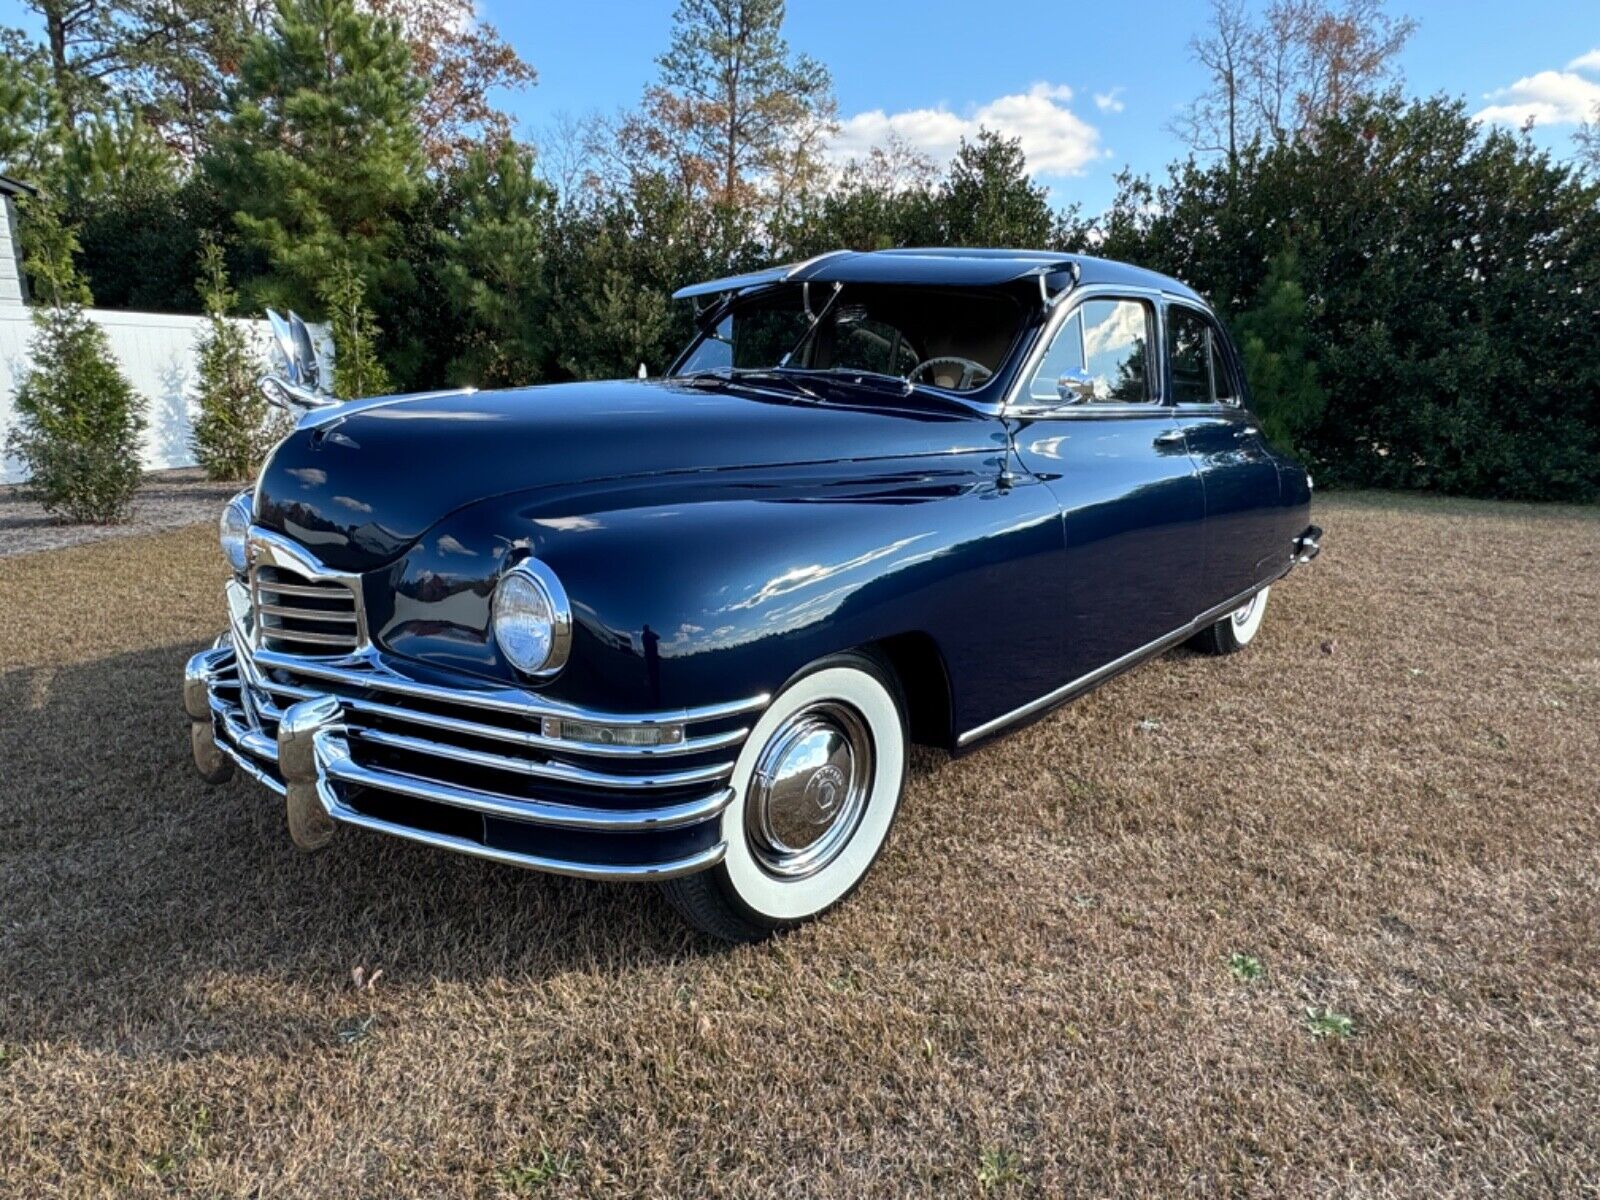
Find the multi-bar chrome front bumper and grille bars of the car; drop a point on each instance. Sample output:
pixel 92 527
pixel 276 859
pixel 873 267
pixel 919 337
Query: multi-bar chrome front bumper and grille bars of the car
pixel 364 742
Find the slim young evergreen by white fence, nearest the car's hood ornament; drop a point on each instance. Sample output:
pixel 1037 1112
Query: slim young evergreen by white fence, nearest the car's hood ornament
pixel 236 426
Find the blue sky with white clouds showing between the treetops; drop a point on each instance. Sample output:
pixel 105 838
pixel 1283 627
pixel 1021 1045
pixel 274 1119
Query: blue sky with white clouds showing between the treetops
pixel 1089 86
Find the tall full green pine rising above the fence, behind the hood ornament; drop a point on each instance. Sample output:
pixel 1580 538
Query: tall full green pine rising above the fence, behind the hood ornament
pixel 322 153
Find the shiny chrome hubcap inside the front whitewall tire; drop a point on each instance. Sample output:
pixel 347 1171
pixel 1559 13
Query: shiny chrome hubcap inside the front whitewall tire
pixel 809 791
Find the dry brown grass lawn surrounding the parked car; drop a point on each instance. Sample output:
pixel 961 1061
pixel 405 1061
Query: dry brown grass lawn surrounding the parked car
pixel 1033 988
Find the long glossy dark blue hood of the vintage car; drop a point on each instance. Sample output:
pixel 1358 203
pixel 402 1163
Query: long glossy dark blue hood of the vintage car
pixel 361 484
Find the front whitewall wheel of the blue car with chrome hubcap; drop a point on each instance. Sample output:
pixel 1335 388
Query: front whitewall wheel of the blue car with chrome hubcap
pixel 817 790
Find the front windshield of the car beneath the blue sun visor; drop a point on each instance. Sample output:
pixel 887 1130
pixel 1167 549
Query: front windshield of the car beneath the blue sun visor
pixel 954 340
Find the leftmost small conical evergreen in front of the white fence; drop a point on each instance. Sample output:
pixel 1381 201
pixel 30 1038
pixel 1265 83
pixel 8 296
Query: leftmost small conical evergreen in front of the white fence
pixel 79 420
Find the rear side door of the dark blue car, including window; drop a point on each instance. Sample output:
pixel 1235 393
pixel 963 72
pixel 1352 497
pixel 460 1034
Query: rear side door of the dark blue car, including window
pixel 1238 470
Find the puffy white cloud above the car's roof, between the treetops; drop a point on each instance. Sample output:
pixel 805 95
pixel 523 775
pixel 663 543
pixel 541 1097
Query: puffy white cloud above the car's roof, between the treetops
pixel 1055 140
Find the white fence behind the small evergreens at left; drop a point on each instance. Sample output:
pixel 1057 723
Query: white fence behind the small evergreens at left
pixel 158 356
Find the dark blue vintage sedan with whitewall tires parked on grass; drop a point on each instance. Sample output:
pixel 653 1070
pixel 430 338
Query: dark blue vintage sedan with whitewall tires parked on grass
pixel 684 630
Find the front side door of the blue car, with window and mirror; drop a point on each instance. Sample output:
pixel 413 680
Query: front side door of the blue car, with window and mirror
pixel 1095 428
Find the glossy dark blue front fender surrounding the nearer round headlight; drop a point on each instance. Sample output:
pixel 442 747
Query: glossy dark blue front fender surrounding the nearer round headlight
pixel 692 591
